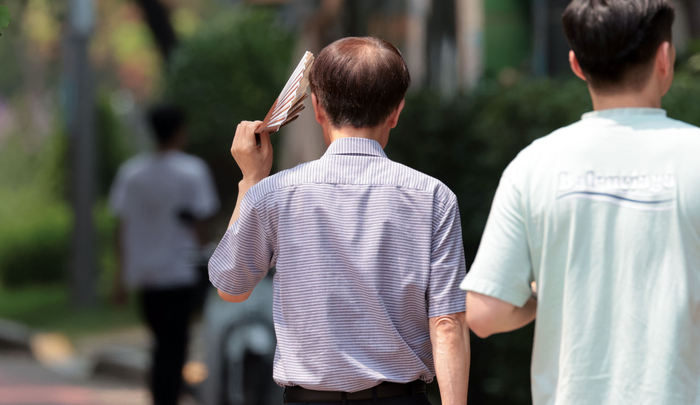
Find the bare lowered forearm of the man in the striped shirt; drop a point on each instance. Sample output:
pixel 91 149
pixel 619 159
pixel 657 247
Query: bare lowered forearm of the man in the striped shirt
pixel 449 335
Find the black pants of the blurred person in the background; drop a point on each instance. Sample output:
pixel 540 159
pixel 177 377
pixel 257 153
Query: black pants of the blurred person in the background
pixel 167 314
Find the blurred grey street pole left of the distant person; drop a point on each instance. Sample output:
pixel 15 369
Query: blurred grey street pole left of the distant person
pixel 80 111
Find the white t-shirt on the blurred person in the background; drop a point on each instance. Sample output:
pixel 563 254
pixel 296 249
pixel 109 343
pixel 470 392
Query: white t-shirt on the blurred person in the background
pixel 148 195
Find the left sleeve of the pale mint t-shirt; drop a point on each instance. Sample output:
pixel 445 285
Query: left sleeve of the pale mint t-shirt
pixel 502 268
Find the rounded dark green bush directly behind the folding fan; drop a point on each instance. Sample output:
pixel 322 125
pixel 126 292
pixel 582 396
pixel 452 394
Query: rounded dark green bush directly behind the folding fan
pixel 233 69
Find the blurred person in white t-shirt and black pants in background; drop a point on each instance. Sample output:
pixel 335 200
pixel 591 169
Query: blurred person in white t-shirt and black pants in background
pixel 159 198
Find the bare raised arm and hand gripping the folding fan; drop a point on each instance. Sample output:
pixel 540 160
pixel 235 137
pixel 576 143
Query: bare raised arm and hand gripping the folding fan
pixel 255 162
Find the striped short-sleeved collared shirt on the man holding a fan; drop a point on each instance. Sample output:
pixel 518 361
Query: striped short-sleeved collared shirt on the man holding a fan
pixel 366 250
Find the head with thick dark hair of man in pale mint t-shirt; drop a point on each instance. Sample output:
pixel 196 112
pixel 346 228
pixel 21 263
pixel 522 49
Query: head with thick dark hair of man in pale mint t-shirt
pixel 621 45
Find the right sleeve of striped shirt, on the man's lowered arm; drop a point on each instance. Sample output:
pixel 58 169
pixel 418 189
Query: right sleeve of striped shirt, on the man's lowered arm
pixel 447 265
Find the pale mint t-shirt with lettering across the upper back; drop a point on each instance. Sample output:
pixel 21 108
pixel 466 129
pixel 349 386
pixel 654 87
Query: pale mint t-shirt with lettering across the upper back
pixel 605 216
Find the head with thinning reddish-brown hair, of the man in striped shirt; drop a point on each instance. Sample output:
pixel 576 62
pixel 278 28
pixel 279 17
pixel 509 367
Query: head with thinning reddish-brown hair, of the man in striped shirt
pixel 359 83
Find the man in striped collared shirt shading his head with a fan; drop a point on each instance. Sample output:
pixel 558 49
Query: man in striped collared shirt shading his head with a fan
pixel 368 252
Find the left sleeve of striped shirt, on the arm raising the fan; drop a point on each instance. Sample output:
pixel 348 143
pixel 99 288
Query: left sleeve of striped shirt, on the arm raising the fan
pixel 243 256
